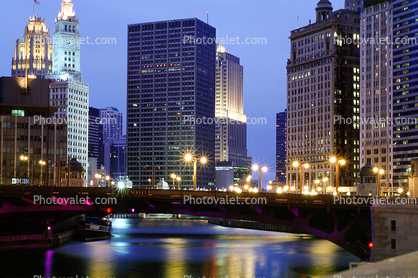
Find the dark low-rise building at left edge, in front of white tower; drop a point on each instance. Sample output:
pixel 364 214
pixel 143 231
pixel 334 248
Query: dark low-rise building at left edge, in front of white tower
pixel 31 148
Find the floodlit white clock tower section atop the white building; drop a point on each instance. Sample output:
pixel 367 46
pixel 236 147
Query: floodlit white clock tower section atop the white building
pixel 66 40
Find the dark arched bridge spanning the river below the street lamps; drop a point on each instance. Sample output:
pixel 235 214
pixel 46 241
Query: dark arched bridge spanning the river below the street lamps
pixel 347 224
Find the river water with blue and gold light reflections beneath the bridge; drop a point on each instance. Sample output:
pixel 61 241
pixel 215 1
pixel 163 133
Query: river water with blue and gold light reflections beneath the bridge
pixel 175 248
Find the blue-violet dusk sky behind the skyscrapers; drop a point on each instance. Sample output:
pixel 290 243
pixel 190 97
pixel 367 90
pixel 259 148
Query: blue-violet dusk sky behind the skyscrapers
pixel 103 66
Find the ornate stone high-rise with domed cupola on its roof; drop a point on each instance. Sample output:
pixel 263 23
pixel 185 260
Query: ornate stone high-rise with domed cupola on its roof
pixel 323 91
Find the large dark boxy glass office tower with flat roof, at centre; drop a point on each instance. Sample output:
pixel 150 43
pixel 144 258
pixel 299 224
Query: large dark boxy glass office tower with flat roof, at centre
pixel 171 94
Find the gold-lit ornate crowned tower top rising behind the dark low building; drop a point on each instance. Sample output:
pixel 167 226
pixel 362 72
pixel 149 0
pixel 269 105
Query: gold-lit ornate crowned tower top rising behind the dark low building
pixel 34 53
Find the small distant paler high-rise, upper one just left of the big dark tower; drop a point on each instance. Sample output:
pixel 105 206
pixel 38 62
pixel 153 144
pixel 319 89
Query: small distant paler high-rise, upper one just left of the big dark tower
pixel 112 121
